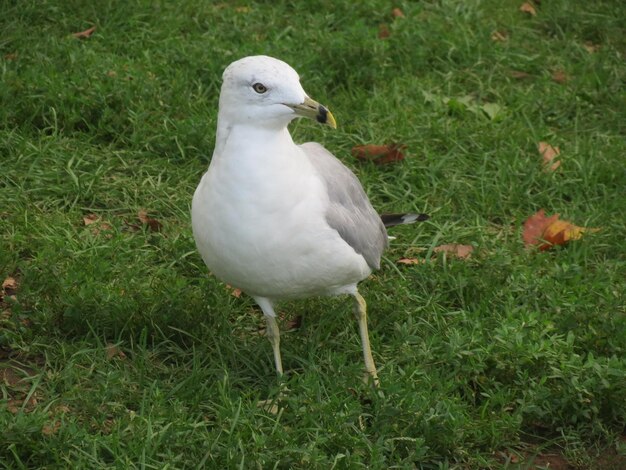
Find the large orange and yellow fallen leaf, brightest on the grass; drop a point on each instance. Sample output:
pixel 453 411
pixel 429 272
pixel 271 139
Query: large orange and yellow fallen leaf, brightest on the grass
pixel 549 231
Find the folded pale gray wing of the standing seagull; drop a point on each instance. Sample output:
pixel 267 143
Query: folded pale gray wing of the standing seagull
pixel 350 211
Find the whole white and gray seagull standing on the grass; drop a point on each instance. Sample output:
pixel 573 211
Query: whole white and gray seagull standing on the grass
pixel 280 220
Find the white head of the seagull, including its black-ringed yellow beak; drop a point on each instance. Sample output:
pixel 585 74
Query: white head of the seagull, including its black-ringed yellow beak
pixel 266 92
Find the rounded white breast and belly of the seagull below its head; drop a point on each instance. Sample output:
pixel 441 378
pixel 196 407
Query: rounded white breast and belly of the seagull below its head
pixel 258 219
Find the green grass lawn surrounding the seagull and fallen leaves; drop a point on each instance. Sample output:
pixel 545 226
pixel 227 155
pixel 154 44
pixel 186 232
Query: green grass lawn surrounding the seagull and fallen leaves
pixel 484 362
